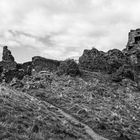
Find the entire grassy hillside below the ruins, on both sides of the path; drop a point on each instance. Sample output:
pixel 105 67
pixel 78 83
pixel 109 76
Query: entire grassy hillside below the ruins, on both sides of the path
pixel 92 100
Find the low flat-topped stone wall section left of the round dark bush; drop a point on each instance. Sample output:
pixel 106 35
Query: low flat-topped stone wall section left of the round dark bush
pixel 43 64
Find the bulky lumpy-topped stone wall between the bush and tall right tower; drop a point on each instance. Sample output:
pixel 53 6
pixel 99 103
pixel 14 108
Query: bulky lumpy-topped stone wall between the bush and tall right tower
pixel 99 61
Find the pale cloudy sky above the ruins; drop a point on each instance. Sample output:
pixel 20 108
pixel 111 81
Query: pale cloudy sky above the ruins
pixel 60 29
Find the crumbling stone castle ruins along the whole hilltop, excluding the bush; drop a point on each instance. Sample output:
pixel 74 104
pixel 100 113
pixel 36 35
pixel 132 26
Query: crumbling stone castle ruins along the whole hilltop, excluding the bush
pixel 92 60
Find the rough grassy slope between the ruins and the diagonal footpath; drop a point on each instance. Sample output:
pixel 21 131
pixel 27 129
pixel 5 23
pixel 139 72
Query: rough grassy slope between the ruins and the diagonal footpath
pixel 110 109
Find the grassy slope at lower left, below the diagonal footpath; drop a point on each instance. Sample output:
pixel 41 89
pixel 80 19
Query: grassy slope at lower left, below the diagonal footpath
pixel 23 117
